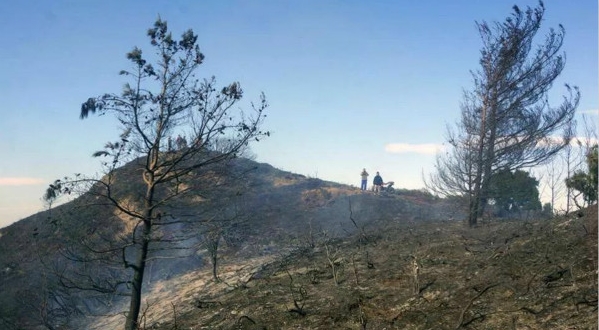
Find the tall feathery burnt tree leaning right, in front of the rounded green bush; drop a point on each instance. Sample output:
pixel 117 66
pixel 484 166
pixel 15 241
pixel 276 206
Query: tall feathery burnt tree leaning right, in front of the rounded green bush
pixel 506 121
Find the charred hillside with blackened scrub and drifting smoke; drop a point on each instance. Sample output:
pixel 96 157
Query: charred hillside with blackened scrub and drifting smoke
pixel 294 252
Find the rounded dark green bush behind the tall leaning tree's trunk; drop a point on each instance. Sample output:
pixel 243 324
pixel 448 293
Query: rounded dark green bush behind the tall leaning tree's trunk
pixel 514 191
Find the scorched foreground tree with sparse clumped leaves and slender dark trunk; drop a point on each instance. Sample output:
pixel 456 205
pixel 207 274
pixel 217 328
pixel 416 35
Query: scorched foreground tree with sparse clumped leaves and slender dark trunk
pixel 161 101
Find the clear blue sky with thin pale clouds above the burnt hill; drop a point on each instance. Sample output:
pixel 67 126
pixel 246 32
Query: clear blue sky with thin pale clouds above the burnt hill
pixel 350 84
